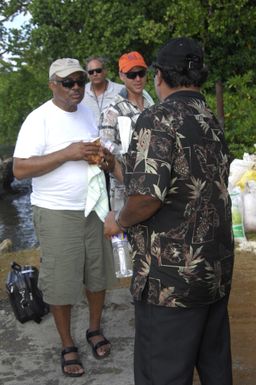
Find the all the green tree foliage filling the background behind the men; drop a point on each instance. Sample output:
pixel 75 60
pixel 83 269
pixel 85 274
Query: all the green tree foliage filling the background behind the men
pixel 80 28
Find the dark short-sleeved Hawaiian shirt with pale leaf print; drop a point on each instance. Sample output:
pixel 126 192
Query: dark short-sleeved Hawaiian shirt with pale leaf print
pixel 183 255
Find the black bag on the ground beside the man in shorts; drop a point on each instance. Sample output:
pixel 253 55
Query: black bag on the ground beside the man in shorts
pixel 25 297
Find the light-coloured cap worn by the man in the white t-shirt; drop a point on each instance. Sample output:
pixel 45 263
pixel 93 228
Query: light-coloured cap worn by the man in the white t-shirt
pixel 64 67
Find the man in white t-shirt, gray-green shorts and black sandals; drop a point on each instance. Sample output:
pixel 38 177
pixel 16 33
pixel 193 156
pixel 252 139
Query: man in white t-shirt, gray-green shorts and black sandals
pixel 55 147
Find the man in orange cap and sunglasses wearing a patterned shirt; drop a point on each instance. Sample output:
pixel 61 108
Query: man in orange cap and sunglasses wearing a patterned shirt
pixel 129 103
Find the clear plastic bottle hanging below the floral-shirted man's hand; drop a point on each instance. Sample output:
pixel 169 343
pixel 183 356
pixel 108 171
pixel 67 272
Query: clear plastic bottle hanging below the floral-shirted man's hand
pixel 122 258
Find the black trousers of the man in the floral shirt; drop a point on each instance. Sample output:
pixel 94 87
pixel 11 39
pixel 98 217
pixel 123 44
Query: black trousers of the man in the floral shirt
pixel 171 342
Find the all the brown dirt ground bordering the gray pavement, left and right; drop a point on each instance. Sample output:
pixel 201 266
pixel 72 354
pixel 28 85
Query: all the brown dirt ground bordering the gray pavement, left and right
pixel 242 309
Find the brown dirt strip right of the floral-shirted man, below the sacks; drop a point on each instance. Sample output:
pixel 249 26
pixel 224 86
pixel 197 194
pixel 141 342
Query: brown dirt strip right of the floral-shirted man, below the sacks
pixel 242 310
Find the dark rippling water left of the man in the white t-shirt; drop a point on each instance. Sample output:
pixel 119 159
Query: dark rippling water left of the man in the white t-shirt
pixel 16 217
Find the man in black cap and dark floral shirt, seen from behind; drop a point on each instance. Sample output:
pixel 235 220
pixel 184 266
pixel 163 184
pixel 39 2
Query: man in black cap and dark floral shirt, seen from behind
pixel 179 218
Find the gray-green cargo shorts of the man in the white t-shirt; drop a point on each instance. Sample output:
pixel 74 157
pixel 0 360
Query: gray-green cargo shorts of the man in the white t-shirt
pixel 74 255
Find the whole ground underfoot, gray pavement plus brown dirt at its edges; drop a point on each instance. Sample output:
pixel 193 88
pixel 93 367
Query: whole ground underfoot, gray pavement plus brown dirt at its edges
pixel 30 353
